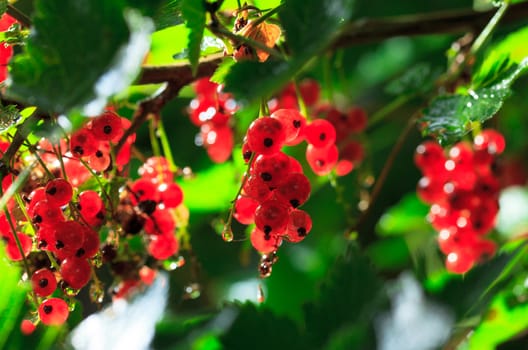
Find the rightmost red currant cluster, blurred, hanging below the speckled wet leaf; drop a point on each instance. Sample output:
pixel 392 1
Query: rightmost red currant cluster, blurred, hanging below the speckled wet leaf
pixel 463 191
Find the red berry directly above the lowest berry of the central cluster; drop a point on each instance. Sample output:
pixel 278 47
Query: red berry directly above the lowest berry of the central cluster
pixel 271 217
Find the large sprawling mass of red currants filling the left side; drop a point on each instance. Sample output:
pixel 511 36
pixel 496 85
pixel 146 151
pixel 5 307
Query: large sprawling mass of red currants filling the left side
pixel 65 227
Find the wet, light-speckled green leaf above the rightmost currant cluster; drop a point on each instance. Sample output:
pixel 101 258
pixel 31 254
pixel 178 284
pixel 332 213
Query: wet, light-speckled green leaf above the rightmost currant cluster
pixel 449 117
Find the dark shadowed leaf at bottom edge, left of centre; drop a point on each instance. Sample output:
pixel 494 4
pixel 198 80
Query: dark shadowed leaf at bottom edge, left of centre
pixel 259 328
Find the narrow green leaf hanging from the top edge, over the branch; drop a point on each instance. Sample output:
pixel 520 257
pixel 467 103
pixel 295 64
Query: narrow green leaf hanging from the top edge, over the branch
pixel 193 12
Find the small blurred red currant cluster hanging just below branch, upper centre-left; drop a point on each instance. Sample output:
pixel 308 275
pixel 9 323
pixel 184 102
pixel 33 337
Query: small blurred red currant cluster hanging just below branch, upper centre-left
pixel 211 110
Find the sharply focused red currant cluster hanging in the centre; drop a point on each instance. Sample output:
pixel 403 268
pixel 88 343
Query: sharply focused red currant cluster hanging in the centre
pixel 275 186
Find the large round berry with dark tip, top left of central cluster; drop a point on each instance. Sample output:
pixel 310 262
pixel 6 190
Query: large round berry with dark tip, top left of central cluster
pixel 266 136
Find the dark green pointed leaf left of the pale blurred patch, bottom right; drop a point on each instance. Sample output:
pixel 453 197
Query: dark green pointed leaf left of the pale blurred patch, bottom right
pixel 349 297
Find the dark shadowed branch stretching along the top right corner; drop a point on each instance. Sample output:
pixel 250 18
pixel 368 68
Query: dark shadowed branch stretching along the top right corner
pixel 445 22
